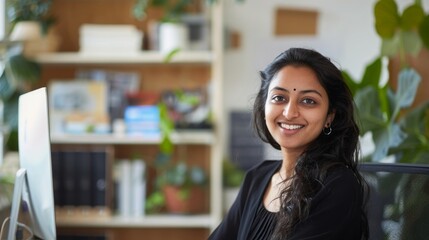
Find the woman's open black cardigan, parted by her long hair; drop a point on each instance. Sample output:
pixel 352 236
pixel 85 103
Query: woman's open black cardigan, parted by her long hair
pixel 335 211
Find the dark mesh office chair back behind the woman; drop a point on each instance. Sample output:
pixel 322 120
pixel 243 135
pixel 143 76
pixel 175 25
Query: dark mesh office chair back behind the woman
pixel 398 200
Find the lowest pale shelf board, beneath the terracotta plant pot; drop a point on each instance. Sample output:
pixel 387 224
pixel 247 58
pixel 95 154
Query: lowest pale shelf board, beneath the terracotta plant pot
pixel 152 221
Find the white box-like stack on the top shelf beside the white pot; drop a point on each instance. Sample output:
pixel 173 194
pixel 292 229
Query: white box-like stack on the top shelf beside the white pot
pixel 110 38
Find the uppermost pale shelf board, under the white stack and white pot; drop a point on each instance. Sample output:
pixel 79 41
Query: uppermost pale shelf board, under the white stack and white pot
pixel 142 57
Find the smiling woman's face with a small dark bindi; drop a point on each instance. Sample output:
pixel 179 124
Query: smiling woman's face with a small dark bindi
pixel 296 109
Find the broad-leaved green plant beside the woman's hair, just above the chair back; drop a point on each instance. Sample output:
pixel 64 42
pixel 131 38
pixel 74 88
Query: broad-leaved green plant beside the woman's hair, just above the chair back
pixel 396 129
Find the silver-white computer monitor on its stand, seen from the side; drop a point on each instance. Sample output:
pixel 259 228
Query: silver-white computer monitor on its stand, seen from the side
pixel 33 185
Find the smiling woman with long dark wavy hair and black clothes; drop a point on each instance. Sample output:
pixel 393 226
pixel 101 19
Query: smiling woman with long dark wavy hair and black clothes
pixel 305 109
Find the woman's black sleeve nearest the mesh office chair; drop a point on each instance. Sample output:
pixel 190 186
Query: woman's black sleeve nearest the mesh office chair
pixel 335 212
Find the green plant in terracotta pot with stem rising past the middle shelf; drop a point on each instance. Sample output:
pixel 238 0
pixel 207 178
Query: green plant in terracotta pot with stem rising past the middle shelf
pixel 178 186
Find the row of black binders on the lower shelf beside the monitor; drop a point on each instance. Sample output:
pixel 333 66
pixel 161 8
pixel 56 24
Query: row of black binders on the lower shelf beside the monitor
pixel 82 180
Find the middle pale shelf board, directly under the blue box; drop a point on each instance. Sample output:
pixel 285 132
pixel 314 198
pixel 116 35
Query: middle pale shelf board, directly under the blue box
pixel 180 137
